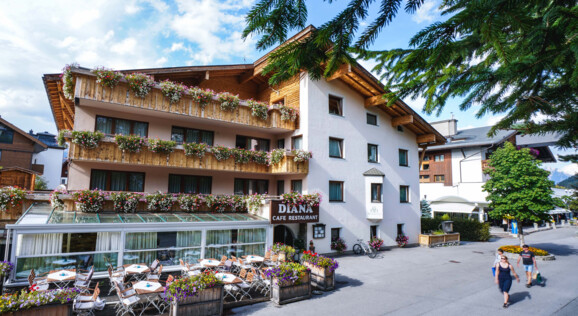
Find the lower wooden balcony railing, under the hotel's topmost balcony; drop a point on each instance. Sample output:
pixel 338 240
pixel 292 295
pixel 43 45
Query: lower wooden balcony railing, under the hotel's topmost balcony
pixel 108 152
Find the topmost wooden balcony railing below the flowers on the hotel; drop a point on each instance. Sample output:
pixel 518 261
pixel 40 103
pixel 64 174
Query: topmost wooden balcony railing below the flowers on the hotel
pixel 87 89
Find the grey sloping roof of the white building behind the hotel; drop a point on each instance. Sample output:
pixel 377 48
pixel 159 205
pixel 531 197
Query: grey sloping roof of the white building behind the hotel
pixel 475 137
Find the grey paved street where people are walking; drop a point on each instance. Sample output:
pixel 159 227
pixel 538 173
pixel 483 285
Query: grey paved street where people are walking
pixel 443 281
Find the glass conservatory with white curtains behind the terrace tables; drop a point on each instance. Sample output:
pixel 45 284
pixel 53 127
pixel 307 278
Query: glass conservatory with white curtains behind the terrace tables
pixel 46 239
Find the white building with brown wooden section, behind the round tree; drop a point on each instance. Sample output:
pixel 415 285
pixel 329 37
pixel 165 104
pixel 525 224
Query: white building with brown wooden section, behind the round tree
pixel 451 175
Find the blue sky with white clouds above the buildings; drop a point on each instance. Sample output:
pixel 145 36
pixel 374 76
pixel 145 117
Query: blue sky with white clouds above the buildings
pixel 40 37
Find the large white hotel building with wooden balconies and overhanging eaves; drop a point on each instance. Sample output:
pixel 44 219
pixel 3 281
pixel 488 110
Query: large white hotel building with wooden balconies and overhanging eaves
pixel 364 161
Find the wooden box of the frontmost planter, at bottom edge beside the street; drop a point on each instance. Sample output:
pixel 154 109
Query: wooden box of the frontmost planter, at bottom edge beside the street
pixel 208 302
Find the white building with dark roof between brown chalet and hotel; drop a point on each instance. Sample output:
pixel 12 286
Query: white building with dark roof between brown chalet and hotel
pixel 51 158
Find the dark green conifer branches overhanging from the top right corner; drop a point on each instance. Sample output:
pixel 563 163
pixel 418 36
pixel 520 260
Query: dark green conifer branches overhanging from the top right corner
pixel 512 57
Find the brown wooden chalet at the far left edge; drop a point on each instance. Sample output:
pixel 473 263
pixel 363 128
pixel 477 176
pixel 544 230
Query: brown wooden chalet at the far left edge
pixel 17 149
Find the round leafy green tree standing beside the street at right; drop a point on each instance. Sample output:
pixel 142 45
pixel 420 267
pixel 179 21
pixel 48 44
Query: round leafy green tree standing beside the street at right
pixel 518 188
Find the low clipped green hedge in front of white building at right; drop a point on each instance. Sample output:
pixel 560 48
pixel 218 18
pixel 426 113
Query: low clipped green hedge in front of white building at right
pixel 470 230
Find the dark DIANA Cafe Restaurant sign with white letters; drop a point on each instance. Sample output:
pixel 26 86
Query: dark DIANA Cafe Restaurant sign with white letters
pixel 286 214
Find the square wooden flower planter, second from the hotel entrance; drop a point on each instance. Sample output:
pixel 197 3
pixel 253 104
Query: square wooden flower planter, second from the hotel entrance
pixel 290 282
